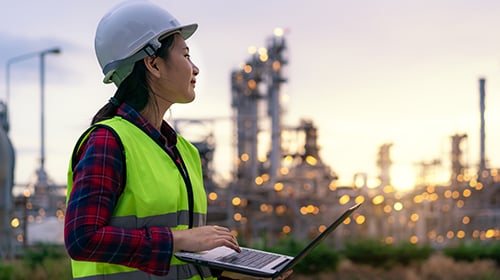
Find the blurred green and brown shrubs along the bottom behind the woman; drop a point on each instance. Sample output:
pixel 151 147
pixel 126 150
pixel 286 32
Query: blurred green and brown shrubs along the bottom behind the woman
pixel 366 259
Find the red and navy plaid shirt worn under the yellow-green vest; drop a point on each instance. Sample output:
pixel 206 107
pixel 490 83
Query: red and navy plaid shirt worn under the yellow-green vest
pixel 98 181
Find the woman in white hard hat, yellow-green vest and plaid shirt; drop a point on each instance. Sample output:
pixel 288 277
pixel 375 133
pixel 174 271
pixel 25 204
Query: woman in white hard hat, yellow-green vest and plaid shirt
pixel 135 188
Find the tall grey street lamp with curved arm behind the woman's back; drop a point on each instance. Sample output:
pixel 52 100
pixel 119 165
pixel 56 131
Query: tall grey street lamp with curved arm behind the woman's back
pixel 41 174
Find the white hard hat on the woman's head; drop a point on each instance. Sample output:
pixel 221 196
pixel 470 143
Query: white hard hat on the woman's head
pixel 130 32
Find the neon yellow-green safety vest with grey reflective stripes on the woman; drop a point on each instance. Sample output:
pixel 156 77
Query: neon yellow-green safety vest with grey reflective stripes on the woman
pixel 155 195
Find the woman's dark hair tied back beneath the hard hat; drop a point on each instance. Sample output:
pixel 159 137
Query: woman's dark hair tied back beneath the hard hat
pixel 134 90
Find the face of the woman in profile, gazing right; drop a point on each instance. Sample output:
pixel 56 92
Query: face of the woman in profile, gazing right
pixel 177 74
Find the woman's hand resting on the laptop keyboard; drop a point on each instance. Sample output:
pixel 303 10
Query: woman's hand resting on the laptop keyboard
pixel 204 238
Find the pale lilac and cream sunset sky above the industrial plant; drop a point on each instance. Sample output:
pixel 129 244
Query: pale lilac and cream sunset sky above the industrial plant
pixel 365 72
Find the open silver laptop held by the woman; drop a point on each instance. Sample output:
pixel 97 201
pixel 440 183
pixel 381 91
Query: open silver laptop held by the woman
pixel 257 263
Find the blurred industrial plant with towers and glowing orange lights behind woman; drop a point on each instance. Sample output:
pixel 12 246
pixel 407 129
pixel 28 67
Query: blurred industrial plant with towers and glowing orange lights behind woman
pixel 280 185
